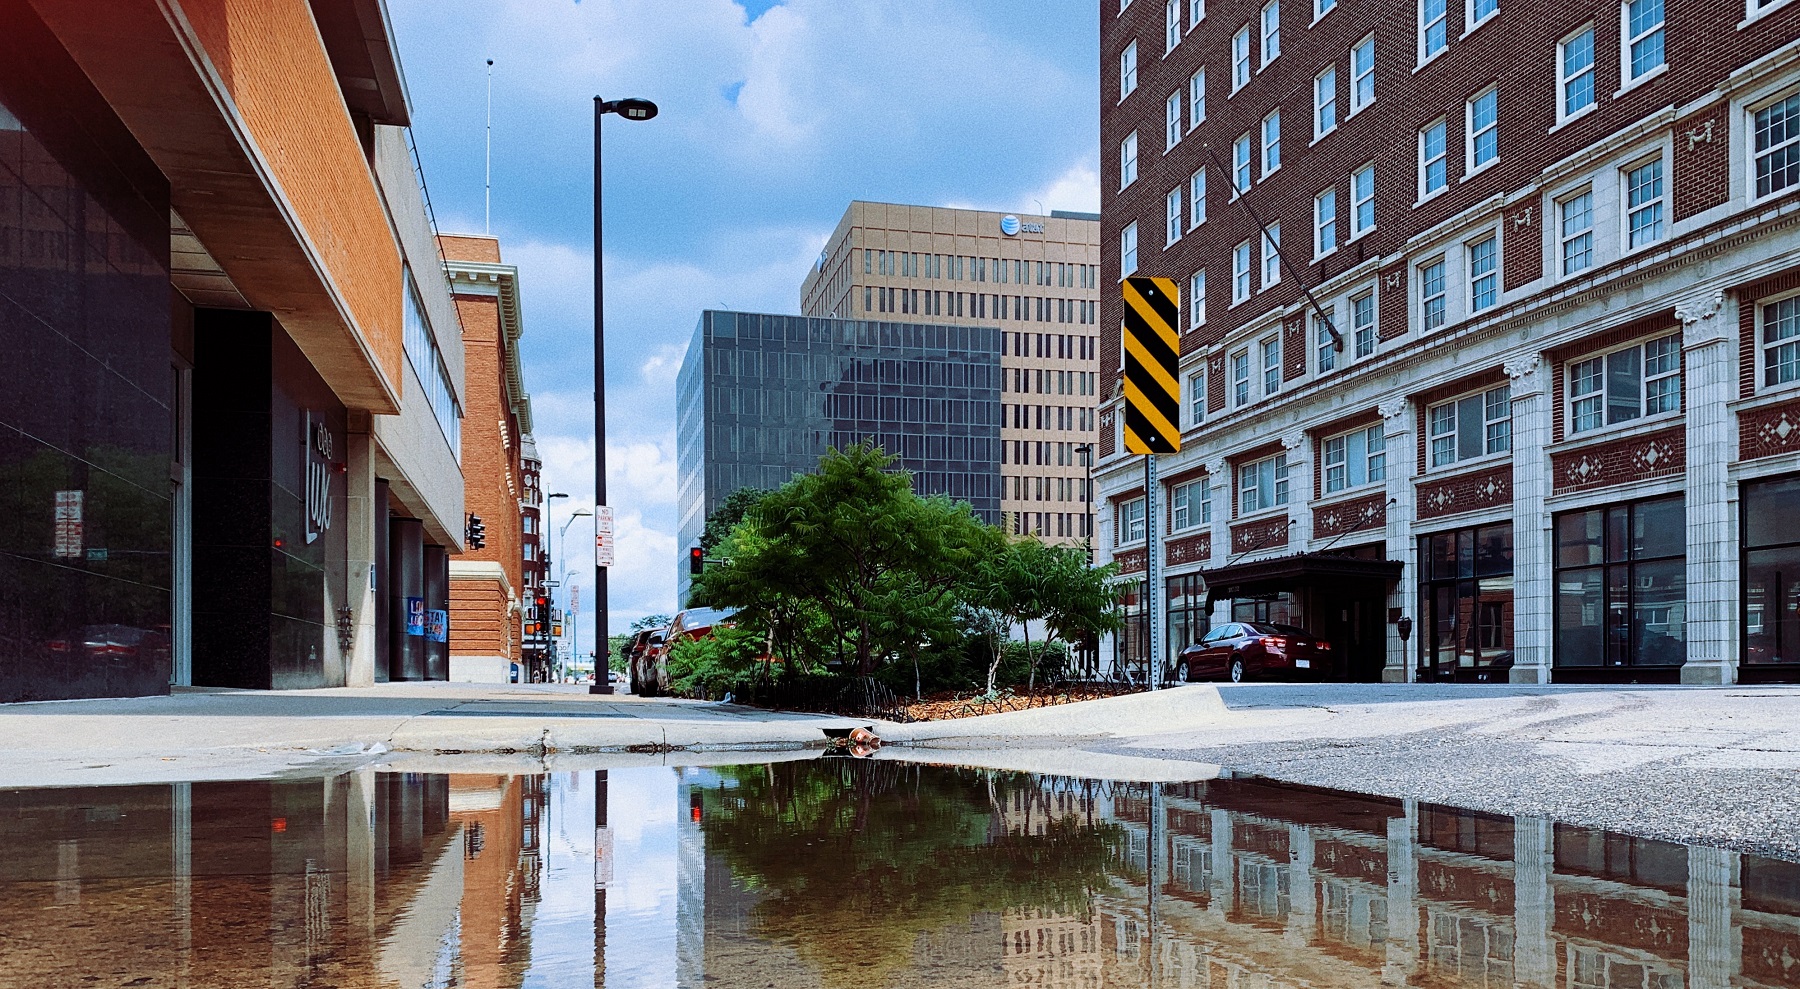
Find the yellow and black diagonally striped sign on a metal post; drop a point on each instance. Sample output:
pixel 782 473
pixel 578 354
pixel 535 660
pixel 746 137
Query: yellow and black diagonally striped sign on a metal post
pixel 1153 349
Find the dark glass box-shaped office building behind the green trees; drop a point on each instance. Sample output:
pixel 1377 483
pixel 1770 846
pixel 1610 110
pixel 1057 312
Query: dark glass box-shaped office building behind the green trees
pixel 764 397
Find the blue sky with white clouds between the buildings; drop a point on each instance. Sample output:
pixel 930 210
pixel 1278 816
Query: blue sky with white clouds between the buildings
pixel 773 118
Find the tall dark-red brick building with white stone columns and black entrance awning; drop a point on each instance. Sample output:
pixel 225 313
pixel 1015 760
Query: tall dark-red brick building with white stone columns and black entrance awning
pixel 1542 408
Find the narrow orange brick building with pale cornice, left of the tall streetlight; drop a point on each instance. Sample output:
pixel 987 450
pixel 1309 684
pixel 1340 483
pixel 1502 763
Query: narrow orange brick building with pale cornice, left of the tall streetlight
pixel 487 586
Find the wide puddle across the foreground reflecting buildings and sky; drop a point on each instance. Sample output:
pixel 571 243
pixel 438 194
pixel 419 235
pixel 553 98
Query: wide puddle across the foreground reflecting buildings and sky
pixel 856 875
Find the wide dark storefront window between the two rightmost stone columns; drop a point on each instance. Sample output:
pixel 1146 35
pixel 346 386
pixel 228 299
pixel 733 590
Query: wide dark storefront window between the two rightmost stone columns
pixel 1623 586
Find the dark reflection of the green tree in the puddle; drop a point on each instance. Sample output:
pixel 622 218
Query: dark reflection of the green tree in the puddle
pixel 856 860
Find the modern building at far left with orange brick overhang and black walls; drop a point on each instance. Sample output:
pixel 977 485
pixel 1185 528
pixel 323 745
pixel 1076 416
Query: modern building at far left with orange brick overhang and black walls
pixel 235 462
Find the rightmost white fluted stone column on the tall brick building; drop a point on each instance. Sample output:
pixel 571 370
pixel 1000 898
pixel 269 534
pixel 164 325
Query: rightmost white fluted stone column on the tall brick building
pixel 1709 376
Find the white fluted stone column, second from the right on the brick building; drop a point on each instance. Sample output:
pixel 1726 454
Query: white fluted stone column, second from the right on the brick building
pixel 1533 579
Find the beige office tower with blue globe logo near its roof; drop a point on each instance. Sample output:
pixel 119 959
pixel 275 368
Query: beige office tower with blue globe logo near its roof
pixel 1038 278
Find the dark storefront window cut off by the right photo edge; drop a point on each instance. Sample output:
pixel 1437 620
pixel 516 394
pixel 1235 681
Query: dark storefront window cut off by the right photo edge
pixel 1772 572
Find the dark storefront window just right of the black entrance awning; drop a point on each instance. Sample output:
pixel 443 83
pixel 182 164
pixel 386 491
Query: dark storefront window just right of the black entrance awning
pixel 1466 601
